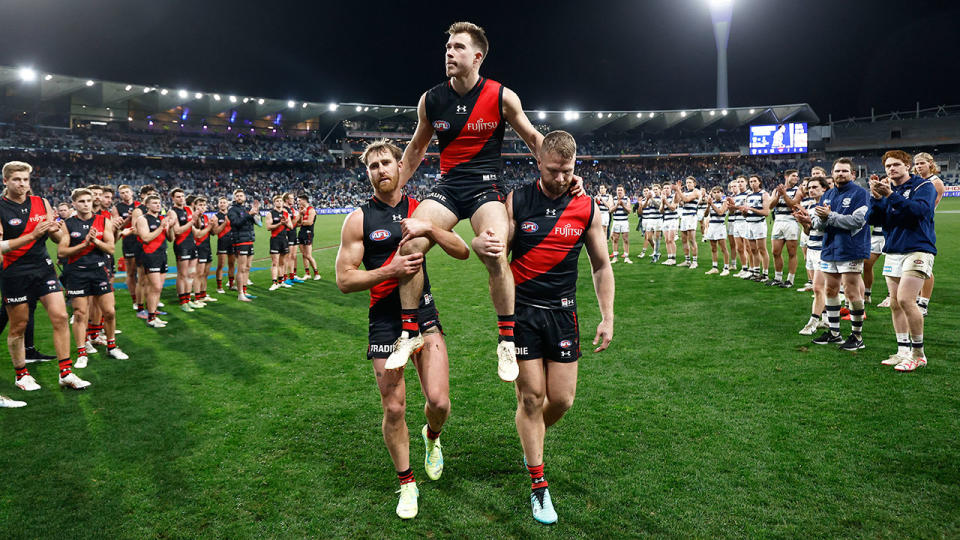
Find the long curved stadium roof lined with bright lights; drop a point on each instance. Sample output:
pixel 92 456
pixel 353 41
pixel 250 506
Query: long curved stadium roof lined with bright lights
pixel 94 98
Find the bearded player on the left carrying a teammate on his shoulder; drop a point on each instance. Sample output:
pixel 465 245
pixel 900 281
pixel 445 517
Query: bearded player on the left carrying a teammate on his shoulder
pixel 371 236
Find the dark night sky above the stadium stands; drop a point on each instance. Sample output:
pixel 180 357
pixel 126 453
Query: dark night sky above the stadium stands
pixel 841 56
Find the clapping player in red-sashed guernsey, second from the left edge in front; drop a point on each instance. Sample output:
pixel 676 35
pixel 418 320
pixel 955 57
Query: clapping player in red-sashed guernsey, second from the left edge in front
pixel 85 242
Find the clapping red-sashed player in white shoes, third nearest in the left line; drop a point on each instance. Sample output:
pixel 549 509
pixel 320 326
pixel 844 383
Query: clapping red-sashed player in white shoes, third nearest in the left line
pixel 152 235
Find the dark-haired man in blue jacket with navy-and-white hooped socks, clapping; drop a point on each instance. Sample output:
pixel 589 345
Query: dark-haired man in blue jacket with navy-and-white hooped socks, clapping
pixel 842 216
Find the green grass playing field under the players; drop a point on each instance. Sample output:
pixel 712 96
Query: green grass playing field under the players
pixel 709 416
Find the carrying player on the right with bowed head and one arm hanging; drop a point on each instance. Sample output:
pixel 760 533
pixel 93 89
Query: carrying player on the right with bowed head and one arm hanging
pixel 548 229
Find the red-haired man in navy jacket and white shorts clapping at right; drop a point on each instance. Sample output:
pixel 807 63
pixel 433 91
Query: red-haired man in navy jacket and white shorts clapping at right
pixel 903 204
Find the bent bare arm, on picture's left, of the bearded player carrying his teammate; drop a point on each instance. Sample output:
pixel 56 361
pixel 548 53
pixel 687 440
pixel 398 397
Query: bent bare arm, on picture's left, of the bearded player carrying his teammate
pixel 350 278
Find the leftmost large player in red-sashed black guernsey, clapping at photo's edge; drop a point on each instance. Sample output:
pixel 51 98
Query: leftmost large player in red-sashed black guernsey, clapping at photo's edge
pixel 28 273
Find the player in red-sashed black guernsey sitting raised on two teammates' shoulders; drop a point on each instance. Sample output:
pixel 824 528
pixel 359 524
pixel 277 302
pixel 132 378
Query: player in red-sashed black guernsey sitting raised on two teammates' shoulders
pixel 469 114
